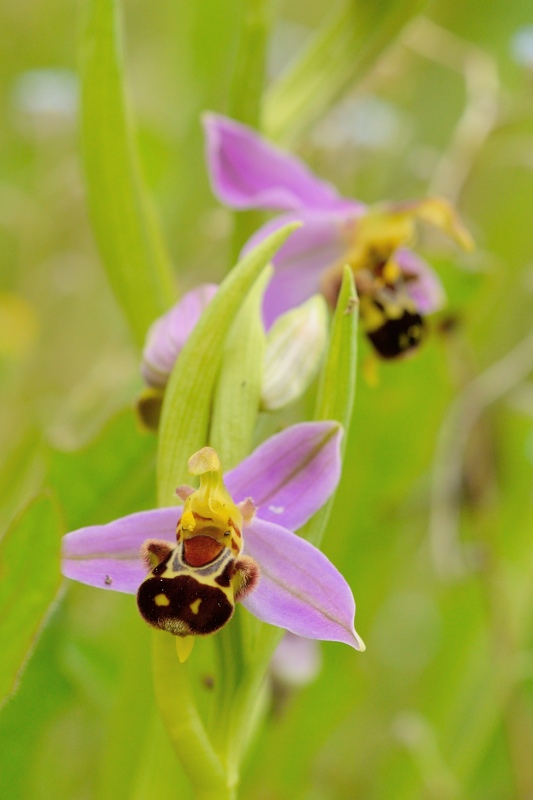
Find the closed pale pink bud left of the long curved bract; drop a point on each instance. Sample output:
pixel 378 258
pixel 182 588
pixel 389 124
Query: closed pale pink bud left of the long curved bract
pixel 169 333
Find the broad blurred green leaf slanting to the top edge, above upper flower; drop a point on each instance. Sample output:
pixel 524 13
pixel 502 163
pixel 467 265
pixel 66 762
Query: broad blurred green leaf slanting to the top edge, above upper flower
pixel 339 55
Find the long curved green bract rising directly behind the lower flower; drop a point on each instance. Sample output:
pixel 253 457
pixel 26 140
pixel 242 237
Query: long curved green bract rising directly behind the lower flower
pixel 188 397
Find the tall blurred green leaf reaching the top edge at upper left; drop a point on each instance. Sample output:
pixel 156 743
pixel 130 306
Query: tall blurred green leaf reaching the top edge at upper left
pixel 122 214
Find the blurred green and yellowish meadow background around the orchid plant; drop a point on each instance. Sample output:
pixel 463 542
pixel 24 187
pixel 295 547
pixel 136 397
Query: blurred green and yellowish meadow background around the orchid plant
pixel 434 517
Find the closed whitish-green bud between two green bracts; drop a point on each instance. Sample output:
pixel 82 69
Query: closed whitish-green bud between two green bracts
pixel 294 348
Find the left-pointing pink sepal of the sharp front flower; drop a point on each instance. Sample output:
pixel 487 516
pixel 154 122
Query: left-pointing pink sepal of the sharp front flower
pixel 107 556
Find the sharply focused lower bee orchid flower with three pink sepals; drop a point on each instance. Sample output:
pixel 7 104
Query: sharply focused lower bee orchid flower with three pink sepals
pixel 232 540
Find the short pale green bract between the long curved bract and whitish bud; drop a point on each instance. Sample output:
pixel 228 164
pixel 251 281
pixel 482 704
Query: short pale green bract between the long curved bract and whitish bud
pixel 238 390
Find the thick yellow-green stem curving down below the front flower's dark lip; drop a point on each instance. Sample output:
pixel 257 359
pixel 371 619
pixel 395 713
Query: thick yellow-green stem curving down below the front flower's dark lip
pixel 183 724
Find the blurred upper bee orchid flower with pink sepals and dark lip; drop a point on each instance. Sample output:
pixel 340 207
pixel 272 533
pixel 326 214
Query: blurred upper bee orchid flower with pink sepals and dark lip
pixel 396 287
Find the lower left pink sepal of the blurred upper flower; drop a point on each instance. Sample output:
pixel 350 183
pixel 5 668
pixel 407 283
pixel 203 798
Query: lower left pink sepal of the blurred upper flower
pixel 301 262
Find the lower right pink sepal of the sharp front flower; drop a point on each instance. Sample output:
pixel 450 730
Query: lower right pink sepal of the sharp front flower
pixel 299 588
